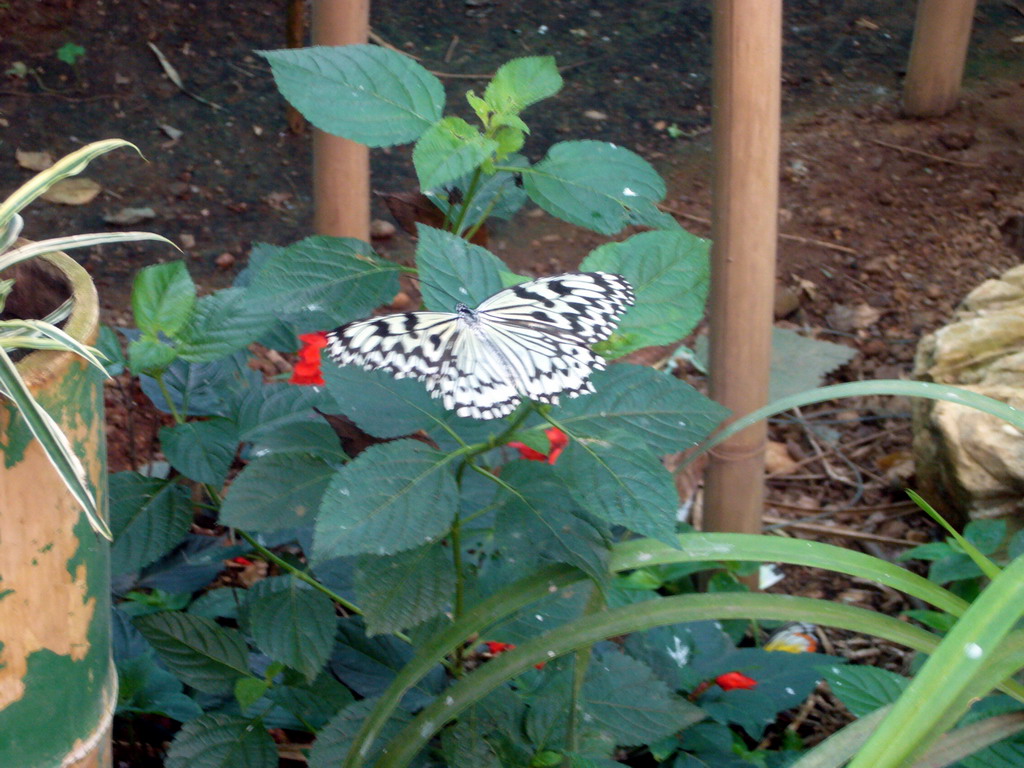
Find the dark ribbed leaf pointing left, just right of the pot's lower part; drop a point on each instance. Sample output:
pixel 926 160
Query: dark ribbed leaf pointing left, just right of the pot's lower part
pixel 197 650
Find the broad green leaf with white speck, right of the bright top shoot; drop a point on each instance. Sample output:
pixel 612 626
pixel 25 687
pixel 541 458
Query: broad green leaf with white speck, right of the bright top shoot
pixel 595 185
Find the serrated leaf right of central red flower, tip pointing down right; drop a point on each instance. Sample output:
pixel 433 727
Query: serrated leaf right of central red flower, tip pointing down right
pixel 624 485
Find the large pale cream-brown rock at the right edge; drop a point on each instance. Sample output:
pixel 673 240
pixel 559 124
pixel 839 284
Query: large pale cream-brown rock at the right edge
pixel 970 464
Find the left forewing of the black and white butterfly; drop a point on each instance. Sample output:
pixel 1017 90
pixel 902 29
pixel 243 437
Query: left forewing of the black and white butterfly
pixel 408 346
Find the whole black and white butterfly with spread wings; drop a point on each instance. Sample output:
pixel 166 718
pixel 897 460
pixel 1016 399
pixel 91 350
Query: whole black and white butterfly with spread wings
pixel 530 342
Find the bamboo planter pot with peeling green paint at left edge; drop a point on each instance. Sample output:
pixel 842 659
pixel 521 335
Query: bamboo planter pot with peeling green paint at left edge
pixel 58 682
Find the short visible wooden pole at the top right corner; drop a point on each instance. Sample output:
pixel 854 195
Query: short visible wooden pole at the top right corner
pixel 942 35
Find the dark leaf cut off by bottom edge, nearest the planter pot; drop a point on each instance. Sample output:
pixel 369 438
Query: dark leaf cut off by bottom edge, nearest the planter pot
pixel 219 741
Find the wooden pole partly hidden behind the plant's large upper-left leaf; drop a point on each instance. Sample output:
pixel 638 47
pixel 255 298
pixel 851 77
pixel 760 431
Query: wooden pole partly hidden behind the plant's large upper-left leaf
pixel 342 168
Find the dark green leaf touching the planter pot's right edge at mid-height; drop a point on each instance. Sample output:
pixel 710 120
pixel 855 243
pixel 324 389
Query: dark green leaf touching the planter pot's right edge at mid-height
pixel 149 518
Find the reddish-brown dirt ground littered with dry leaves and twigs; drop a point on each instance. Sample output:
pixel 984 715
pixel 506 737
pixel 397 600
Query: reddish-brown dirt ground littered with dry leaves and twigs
pixel 887 223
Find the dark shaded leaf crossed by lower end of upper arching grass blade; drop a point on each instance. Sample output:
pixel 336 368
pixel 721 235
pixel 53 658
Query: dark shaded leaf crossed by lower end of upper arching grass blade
pixel 368 665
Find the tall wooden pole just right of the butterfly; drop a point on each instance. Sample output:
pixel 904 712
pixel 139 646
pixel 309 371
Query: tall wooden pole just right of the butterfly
pixel 748 45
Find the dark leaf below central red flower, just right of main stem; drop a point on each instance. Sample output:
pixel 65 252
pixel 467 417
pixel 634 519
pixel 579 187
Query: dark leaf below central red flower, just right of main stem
pixel 542 520
